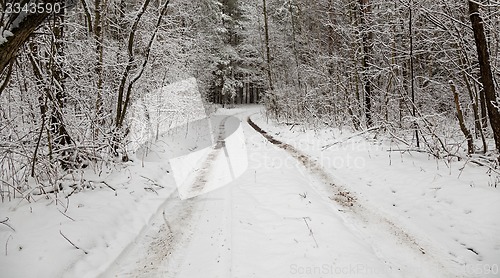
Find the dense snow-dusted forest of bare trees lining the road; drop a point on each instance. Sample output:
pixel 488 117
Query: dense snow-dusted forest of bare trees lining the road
pixel 423 72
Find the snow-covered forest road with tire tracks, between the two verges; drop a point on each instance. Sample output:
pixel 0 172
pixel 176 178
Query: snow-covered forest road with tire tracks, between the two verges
pixel 279 219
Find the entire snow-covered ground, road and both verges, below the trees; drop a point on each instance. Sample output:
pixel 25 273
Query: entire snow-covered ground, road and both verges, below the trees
pixel 352 210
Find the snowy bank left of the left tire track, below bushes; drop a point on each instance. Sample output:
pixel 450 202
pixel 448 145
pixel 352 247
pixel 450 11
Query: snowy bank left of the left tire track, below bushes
pixel 99 221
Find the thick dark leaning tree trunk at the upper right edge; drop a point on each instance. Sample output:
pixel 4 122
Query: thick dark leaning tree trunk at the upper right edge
pixel 485 69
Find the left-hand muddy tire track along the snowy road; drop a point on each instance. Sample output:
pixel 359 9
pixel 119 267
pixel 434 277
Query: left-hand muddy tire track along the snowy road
pixel 168 232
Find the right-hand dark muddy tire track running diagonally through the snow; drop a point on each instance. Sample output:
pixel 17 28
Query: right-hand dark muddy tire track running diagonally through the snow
pixel 350 202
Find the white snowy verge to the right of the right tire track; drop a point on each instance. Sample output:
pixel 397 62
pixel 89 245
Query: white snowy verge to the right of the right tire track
pixel 449 210
